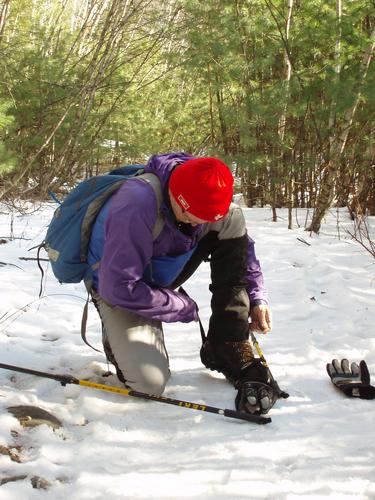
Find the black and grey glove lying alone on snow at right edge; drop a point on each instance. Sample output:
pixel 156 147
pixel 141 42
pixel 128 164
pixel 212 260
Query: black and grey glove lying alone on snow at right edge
pixel 354 381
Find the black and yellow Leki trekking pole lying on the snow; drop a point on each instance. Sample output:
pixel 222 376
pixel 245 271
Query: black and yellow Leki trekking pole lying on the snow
pixel 68 379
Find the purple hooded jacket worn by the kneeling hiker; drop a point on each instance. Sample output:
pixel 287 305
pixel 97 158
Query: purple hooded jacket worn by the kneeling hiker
pixel 129 246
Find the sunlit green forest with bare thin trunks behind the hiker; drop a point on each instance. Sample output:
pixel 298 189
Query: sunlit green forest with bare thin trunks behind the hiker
pixel 282 90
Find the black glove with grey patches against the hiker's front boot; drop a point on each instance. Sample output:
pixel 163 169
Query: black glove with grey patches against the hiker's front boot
pixel 257 392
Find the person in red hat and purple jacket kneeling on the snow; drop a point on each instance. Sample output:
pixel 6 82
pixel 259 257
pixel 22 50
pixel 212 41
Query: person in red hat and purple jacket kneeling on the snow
pixel 134 286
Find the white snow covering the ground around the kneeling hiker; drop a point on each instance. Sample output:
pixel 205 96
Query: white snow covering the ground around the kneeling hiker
pixel 319 445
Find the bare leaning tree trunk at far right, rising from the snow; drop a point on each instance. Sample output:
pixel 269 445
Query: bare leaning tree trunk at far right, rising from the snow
pixel 326 193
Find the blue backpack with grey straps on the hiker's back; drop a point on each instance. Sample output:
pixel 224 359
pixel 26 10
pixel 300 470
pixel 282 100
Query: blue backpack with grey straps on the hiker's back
pixel 68 235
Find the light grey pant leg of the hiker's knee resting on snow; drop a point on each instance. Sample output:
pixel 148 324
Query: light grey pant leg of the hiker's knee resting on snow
pixel 135 346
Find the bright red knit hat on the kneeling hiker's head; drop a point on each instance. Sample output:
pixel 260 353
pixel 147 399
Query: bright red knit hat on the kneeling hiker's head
pixel 203 187
